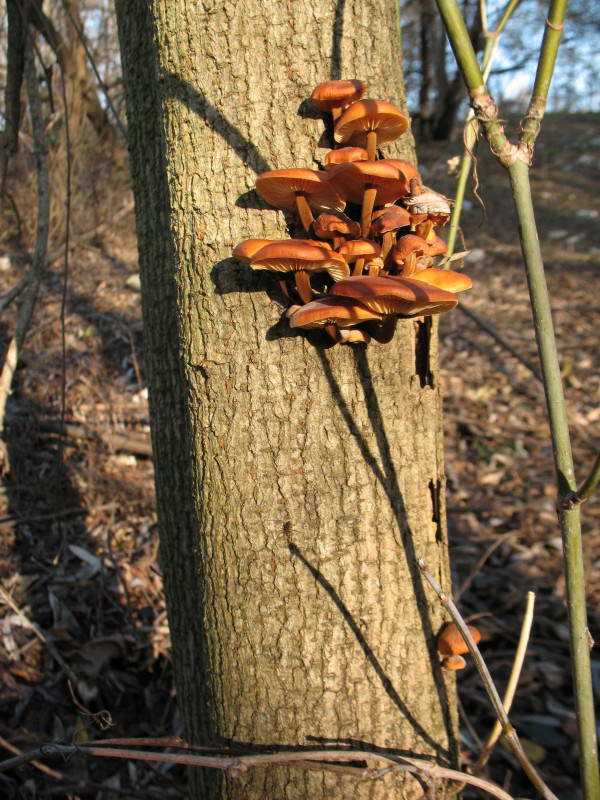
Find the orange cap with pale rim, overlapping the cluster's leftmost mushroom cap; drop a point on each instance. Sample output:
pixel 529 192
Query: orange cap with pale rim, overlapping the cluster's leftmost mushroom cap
pixel 298 254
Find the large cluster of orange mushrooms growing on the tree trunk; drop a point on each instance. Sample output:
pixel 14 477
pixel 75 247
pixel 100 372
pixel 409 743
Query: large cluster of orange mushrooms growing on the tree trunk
pixel 370 229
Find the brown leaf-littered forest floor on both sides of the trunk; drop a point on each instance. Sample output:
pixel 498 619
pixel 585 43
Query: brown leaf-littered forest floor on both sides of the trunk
pixel 78 537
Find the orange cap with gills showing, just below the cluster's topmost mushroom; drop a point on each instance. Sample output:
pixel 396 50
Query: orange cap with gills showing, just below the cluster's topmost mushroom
pixel 369 115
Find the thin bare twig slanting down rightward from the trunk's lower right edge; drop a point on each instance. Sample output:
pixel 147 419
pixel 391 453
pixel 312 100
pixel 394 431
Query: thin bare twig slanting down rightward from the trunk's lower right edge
pixel 509 732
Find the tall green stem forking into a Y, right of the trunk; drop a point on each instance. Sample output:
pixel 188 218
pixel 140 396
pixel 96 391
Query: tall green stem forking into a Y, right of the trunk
pixel 517 160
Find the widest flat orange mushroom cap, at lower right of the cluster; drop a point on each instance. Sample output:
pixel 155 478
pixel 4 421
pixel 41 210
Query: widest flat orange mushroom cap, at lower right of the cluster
pixel 393 295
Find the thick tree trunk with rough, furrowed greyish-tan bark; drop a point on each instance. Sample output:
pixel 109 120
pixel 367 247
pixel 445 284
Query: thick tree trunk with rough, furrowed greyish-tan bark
pixel 295 484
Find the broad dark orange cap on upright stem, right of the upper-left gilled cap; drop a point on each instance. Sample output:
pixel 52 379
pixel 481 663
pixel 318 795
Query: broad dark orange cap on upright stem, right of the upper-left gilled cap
pixel 351 179
